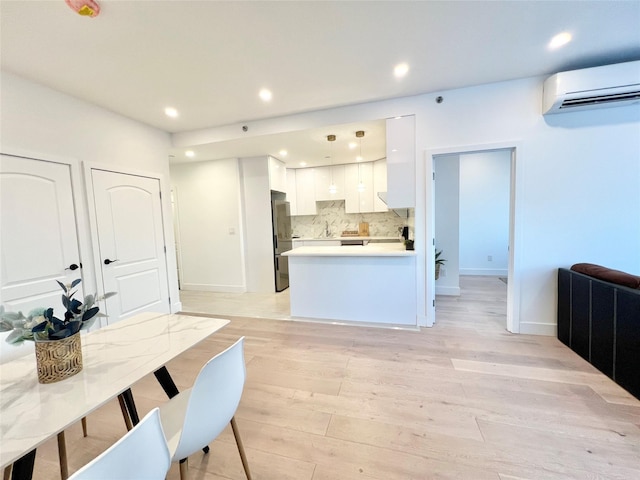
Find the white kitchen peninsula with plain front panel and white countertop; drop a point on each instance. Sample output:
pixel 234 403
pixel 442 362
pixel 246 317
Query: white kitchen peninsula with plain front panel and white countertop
pixel 373 283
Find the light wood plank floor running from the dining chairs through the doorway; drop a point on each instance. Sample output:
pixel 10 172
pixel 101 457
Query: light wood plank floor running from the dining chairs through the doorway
pixel 462 400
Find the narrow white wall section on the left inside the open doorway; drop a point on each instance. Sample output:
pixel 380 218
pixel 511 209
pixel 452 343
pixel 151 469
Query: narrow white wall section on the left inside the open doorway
pixel 447 222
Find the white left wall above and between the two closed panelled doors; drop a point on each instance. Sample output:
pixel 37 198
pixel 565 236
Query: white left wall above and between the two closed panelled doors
pixel 41 123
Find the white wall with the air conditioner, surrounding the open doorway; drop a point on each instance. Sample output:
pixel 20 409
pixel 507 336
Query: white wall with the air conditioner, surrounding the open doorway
pixel 578 178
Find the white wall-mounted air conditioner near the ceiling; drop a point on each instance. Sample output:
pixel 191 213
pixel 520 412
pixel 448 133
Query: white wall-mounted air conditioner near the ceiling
pixel 598 87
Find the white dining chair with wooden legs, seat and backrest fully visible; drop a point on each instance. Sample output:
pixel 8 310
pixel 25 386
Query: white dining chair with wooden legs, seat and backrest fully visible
pixel 196 416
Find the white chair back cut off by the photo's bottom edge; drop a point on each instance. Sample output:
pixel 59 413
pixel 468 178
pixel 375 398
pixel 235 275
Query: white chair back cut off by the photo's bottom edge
pixel 142 454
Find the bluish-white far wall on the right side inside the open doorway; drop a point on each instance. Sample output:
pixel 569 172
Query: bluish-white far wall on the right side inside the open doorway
pixel 484 212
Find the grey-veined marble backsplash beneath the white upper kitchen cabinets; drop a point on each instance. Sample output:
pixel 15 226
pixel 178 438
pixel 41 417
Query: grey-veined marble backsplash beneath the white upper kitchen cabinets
pixel 381 224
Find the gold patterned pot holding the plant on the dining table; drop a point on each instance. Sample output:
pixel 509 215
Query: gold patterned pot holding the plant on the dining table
pixel 58 359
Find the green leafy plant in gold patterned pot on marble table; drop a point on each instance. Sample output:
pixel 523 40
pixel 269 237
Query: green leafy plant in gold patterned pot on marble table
pixel 57 340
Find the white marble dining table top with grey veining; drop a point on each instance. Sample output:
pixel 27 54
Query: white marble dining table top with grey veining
pixel 114 358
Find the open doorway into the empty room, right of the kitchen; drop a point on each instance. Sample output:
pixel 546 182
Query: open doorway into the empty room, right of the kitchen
pixel 472 192
